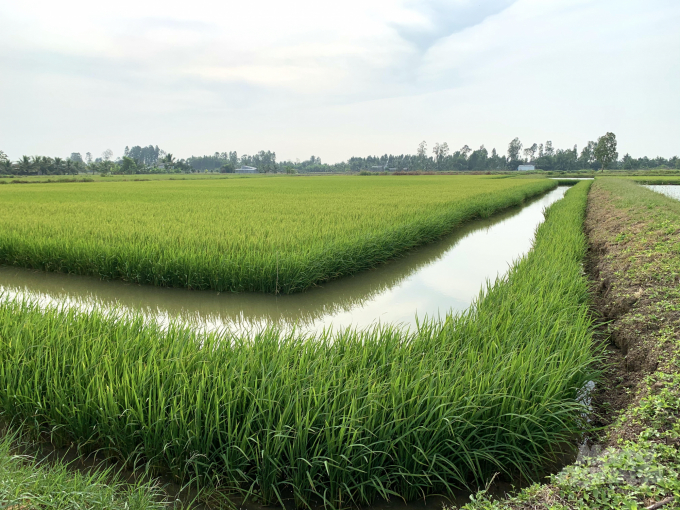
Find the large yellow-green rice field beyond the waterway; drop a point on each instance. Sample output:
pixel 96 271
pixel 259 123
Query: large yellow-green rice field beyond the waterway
pixel 263 234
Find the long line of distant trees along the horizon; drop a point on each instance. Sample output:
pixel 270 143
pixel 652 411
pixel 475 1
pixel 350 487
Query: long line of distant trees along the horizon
pixel 595 155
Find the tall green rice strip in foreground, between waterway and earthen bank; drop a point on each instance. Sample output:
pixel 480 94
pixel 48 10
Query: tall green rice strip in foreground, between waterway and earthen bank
pixel 341 418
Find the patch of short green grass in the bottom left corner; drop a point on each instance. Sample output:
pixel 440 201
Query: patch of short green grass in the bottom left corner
pixel 26 484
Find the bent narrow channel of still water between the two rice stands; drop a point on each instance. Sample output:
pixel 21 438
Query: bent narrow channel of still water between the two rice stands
pixel 428 282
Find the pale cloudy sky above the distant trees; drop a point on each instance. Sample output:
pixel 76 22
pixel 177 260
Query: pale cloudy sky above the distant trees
pixel 337 79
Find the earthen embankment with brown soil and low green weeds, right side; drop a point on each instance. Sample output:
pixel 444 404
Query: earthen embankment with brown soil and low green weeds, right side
pixel 630 459
